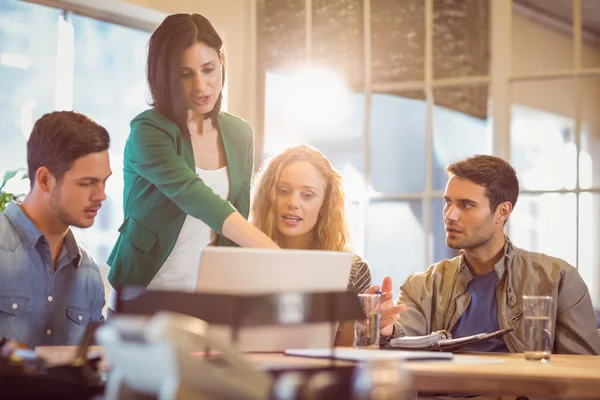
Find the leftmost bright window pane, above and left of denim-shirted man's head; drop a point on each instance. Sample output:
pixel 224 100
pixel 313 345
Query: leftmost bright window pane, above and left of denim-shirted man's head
pixel 27 75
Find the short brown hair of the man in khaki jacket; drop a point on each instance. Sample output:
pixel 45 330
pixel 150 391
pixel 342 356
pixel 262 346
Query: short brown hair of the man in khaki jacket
pixel 493 173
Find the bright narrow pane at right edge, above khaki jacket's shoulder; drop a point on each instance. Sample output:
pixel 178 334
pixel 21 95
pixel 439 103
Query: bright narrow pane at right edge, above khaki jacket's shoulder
pixel 589 237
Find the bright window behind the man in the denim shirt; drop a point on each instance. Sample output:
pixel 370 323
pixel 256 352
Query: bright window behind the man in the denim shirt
pixel 71 62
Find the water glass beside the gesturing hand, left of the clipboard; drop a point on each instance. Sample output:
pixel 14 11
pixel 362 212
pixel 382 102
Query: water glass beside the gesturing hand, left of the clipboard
pixel 366 331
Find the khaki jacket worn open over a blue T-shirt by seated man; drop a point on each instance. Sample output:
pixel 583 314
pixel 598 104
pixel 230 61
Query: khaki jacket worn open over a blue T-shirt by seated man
pixel 438 297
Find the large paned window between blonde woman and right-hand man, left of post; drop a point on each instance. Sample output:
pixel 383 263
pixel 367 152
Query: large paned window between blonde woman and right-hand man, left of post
pixel 375 117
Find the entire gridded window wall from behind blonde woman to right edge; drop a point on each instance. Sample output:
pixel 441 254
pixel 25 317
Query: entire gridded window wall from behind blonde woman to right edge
pixel 412 101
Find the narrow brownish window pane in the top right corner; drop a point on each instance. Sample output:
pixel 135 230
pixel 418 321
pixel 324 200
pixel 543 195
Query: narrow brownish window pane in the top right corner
pixel 590 51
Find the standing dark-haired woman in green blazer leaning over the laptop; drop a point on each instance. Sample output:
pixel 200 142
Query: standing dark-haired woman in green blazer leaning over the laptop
pixel 187 165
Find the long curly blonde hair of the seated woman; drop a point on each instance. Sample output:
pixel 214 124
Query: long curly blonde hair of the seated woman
pixel 331 228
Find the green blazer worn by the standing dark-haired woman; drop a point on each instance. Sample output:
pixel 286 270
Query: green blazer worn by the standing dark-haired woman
pixel 161 188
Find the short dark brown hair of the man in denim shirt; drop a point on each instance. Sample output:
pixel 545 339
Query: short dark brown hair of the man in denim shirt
pixel 59 138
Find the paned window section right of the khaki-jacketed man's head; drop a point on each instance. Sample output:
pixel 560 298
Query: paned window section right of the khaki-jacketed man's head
pixel 555 134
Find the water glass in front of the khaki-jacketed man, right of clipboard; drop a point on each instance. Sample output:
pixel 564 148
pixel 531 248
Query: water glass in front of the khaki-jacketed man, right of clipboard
pixel 537 313
